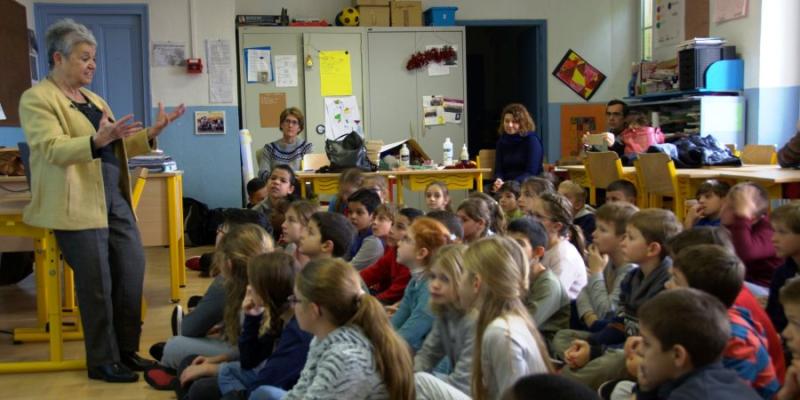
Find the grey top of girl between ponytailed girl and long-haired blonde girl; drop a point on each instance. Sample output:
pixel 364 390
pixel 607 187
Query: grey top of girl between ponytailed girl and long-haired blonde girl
pixel 452 336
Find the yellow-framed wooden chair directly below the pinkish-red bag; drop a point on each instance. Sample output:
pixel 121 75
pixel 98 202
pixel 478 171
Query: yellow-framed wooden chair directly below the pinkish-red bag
pixel 657 178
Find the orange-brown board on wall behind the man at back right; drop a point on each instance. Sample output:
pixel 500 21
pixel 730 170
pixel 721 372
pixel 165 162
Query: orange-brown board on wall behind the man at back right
pixel 577 119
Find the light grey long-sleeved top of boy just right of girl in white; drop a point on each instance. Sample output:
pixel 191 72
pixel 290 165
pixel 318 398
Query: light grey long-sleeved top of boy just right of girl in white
pixel 601 293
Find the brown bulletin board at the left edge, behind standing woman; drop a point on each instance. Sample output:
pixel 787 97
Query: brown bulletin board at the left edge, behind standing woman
pixel 16 59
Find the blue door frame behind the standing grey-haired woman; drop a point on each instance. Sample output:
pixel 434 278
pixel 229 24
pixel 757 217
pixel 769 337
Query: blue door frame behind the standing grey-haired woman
pixel 42 10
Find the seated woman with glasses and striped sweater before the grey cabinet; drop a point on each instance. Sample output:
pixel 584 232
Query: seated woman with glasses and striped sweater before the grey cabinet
pixel 288 150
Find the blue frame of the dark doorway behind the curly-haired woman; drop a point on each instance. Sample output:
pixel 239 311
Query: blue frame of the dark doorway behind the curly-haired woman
pixel 540 54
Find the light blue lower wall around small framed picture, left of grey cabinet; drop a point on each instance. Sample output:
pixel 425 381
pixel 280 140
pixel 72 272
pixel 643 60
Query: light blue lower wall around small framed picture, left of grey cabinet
pixel 211 163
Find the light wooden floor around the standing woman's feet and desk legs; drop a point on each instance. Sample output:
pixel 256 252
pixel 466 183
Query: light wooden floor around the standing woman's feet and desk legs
pixel 18 309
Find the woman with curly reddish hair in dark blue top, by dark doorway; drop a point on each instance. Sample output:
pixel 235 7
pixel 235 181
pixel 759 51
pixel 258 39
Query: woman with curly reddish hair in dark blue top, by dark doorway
pixel 519 150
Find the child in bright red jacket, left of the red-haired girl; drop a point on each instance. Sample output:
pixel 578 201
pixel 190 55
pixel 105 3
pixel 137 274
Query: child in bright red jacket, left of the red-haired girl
pixel 386 278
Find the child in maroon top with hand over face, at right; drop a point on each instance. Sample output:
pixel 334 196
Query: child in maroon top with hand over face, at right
pixel 744 213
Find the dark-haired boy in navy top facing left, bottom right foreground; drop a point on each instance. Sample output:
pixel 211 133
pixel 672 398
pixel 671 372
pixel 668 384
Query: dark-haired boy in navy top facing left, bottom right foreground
pixel 684 333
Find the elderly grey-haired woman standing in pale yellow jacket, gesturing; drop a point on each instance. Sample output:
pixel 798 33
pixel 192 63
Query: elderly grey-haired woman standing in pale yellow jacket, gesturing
pixel 81 189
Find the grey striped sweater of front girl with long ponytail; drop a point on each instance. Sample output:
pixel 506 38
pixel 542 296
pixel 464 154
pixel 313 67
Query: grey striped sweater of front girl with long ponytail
pixel 340 366
